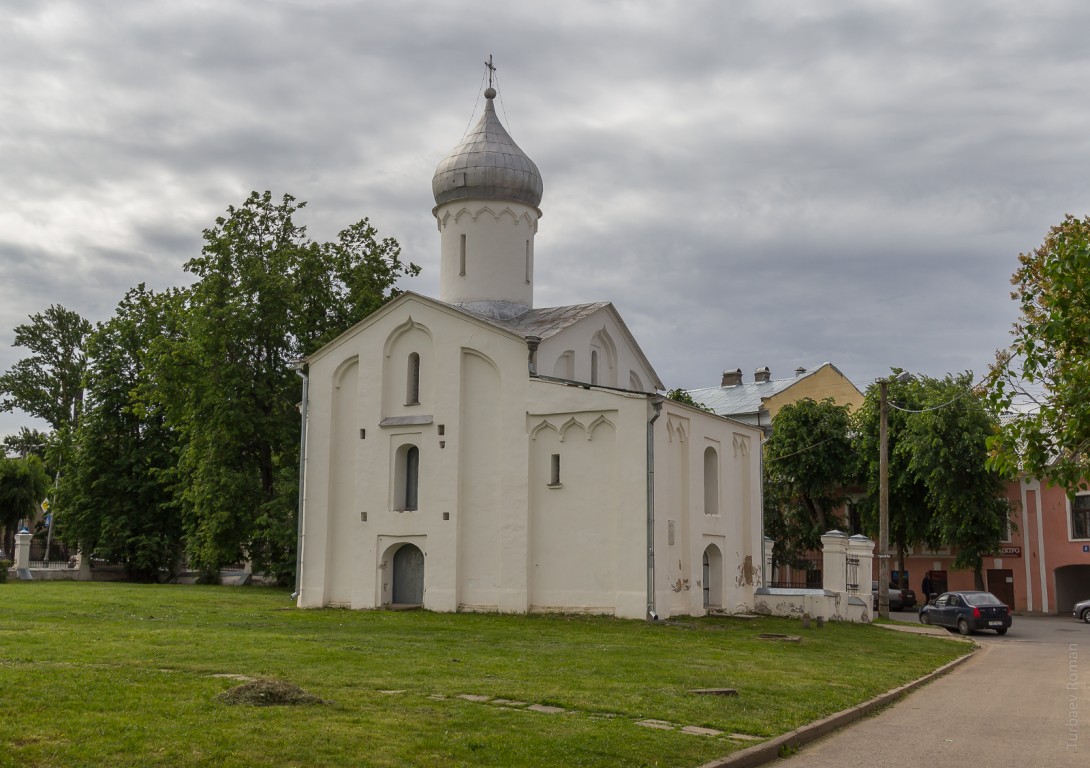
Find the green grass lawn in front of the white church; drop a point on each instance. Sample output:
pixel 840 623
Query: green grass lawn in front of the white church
pixel 122 675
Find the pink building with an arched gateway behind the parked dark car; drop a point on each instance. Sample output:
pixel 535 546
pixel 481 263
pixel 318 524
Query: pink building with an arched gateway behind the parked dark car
pixel 1045 566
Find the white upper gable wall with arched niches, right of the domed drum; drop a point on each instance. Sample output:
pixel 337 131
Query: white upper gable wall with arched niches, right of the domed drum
pixel 580 337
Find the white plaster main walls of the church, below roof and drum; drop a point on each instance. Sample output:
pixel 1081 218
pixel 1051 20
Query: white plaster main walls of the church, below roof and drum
pixel 494 535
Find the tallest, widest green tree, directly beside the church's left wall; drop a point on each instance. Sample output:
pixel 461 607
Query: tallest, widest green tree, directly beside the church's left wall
pixel 265 296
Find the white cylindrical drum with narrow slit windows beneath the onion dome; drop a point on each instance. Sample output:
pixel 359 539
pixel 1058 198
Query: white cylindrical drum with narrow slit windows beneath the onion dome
pixel 496 237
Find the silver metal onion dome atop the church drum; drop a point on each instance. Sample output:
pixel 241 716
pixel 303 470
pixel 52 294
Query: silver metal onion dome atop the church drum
pixel 488 164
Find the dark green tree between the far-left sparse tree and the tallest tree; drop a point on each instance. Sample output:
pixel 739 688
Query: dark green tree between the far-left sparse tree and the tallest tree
pixel 118 499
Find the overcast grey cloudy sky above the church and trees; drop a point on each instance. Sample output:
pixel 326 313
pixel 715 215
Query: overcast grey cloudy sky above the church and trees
pixel 752 184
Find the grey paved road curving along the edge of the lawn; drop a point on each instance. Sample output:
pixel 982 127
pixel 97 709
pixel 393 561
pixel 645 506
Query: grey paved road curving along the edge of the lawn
pixel 1018 703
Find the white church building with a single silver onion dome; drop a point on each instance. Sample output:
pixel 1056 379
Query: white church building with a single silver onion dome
pixel 478 454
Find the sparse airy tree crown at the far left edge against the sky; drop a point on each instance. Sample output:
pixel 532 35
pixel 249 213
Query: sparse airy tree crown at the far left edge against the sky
pixel 49 384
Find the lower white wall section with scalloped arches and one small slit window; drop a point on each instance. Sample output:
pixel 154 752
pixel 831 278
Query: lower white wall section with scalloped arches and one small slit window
pixel 588 538
